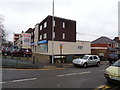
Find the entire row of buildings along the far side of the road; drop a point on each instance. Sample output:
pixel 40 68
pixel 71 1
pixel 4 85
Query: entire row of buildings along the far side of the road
pixel 39 39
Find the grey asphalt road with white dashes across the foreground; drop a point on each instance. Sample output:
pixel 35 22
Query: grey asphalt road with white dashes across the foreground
pixel 74 77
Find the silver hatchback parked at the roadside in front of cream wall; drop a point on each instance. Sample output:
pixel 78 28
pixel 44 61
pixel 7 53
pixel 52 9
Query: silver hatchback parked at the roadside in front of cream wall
pixel 87 60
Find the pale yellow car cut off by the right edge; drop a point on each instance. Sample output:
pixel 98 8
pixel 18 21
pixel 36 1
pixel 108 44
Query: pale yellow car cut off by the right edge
pixel 112 73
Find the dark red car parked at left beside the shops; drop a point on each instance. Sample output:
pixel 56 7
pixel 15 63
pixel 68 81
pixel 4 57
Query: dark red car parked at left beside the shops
pixel 22 52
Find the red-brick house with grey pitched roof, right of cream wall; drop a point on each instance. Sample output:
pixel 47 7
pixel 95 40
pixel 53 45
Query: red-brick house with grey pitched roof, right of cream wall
pixel 103 46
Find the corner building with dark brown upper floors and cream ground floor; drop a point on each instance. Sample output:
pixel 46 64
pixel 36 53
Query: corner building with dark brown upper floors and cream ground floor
pixel 64 36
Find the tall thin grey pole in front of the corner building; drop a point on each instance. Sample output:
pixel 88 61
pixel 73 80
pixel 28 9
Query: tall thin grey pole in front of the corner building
pixel 53 33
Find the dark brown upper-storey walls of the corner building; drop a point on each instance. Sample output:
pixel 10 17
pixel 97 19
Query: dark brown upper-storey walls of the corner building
pixel 69 29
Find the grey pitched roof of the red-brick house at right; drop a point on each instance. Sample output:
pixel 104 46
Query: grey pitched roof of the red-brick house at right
pixel 103 40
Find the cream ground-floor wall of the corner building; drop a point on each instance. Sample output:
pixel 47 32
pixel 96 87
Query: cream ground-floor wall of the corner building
pixel 68 48
